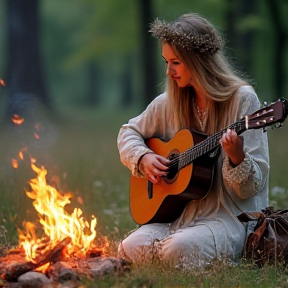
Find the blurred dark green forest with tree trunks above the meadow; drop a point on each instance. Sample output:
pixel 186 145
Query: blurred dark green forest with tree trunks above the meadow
pixel 94 53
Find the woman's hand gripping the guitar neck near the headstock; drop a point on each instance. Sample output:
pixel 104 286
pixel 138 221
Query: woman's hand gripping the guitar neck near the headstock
pixel 232 144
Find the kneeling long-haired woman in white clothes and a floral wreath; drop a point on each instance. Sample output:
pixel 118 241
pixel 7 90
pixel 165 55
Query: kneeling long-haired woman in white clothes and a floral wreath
pixel 203 93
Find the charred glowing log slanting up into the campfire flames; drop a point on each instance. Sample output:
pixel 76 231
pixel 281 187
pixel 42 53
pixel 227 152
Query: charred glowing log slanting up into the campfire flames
pixel 15 269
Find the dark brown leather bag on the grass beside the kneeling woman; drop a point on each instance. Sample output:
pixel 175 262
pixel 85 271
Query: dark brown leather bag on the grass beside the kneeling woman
pixel 268 243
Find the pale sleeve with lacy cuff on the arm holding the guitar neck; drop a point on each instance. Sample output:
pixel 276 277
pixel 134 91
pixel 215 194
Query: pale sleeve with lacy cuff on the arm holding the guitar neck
pixel 248 178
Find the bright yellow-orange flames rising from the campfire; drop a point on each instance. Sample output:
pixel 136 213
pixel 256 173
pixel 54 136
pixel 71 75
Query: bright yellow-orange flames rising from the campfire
pixel 57 223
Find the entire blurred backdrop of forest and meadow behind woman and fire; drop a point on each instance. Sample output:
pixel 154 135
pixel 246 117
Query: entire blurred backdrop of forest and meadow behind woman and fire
pixel 81 68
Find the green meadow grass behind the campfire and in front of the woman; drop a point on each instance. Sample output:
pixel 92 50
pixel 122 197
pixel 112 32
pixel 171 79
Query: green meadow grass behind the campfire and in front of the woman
pixel 78 149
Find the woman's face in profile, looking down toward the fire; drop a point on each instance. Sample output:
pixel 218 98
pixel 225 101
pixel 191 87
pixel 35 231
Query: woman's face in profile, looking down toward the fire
pixel 175 68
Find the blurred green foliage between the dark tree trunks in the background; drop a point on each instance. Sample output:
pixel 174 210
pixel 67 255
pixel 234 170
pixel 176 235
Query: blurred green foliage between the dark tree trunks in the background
pixel 75 34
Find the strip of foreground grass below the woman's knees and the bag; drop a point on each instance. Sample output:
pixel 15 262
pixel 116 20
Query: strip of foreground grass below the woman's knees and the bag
pixel 218 275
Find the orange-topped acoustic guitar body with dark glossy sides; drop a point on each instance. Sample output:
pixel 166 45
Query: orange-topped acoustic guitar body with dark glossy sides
pixel 170 197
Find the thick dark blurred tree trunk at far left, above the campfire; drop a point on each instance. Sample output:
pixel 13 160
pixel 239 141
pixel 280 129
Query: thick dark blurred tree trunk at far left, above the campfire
pixel 25 79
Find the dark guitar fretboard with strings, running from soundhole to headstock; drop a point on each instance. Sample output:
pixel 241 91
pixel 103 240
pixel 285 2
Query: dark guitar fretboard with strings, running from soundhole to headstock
pixel 198 148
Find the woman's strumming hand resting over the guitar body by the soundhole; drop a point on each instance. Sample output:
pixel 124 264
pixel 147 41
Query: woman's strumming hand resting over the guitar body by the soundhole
pixel 153 166
